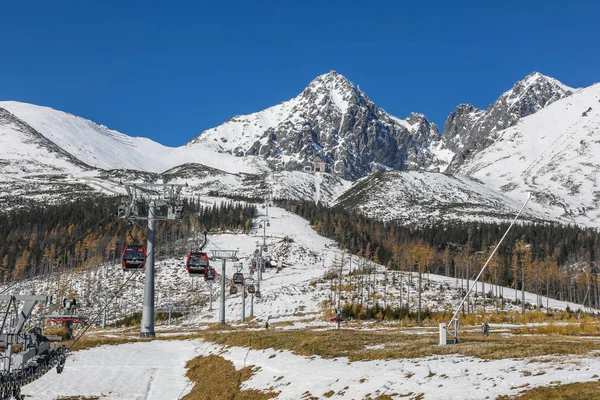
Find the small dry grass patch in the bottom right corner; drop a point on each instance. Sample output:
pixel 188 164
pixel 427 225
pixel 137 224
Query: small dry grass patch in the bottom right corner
pixel 573 391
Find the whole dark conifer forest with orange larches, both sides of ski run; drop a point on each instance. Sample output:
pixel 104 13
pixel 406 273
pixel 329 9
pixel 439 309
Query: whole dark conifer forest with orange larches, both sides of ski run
pixel 549 259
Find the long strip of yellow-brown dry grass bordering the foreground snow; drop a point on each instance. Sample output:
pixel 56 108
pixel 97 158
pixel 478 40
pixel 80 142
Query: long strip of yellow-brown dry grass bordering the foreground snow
pixel 351 344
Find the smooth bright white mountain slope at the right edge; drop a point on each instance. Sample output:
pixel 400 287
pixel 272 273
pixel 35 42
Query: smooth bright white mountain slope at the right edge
pixel 554 155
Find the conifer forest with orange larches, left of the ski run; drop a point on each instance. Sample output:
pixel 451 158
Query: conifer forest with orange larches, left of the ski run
pixel 87 232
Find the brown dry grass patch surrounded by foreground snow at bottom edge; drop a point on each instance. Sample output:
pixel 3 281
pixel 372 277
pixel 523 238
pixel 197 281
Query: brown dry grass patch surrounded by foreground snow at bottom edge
pixel 217 379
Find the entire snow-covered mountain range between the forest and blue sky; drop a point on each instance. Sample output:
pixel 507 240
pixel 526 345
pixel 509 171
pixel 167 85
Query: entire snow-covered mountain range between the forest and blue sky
pixel 50 156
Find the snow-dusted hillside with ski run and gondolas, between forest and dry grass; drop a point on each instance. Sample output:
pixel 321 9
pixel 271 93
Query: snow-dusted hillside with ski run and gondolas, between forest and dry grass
pixel 295 293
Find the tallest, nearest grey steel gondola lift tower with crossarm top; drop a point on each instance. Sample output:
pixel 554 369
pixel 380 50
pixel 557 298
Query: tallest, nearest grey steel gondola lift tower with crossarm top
pixel 150 202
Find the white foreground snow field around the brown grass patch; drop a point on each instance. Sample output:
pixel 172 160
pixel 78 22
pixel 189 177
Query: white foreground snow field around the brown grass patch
pixel 155 370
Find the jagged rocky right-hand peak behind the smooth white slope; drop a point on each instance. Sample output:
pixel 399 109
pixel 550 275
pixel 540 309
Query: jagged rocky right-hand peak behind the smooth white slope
pixel 469 129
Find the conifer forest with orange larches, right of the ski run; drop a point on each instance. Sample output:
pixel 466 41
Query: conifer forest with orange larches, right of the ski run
pixel 552 260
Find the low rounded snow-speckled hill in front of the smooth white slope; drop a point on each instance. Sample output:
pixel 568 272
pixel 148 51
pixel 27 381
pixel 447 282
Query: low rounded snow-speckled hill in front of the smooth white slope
pixel 410 197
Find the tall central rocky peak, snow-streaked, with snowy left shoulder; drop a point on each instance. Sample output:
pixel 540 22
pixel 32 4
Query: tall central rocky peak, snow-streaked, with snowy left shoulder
pixel 334 120
